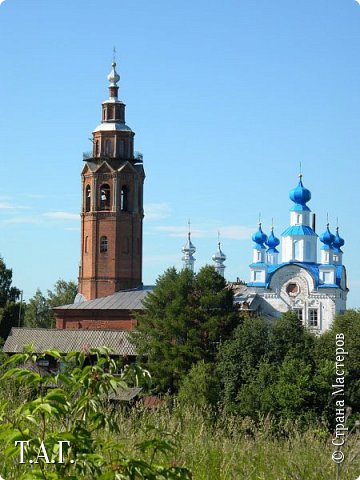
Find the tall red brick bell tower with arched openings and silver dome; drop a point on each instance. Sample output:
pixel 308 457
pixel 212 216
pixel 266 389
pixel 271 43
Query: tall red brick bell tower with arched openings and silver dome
pixel 112 204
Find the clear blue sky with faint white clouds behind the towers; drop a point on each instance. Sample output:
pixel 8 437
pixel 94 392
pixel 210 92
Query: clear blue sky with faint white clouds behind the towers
pixel 225 98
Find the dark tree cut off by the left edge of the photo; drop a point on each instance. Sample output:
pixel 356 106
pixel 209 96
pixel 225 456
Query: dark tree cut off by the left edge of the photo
pixel 9 295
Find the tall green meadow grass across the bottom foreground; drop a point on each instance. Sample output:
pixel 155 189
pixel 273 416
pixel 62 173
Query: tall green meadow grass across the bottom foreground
pixel 230 448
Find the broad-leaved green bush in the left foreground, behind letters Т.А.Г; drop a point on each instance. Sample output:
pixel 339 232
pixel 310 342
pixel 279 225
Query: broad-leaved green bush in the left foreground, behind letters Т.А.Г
pixel 73 407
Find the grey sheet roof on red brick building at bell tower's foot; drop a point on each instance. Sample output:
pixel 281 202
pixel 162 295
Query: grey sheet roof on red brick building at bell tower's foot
pixel 123 300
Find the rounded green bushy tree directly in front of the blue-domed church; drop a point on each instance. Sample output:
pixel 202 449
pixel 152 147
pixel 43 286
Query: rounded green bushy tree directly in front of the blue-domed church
pixel 270 369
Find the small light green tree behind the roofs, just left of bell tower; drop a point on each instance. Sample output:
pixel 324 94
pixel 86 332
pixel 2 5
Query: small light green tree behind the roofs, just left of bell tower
pixel 39 308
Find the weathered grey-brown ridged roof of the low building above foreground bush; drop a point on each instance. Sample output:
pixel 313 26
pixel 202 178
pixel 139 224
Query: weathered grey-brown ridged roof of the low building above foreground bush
pixel 68 340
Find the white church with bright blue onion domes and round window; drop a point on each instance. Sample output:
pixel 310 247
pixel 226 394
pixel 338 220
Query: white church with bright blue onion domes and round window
pixel 315 289
